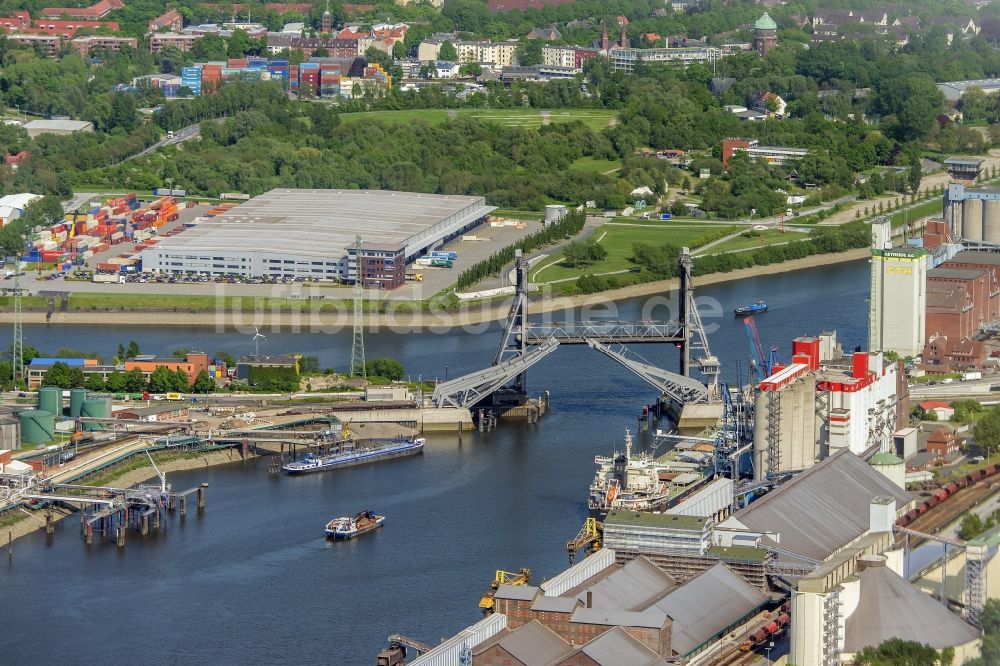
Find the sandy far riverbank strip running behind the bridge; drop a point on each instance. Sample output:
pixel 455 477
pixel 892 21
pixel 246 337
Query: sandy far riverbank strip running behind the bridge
pixel 398 317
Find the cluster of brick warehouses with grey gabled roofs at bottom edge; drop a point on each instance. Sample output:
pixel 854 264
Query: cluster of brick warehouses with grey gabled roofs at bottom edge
pixel 605 613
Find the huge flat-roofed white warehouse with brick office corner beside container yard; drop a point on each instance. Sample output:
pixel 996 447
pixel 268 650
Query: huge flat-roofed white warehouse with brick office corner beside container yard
pixel 311 234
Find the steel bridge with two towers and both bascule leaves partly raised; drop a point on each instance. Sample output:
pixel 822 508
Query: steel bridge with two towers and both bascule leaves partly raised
pixel 524 343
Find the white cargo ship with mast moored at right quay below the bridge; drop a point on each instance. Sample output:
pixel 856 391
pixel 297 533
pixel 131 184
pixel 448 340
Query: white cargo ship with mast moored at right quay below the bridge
pixel 640 482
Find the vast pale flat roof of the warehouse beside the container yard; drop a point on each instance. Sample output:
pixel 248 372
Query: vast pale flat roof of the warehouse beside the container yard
pixel 325 222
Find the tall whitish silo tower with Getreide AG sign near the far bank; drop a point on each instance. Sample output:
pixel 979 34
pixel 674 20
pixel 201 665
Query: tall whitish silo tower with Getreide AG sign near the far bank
pixel 898 301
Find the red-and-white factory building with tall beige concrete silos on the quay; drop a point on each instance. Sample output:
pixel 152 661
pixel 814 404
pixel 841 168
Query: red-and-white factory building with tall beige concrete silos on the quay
pixel 824 402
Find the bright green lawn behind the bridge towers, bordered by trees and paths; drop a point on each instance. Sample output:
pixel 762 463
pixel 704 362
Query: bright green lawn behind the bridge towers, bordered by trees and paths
pixel 618 240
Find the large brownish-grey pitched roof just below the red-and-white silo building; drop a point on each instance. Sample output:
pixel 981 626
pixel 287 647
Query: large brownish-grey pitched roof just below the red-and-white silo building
pixel 823 509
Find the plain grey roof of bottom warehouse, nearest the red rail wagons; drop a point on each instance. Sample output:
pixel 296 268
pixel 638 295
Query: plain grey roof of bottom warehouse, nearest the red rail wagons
pixel 708 604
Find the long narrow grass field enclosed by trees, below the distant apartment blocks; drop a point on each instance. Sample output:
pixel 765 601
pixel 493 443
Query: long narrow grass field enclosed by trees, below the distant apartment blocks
pixel 594 118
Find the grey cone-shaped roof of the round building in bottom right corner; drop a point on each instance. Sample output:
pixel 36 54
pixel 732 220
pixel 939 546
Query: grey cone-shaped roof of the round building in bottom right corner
pixel 890 607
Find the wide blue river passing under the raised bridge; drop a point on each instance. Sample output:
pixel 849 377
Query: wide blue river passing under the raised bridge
pixel 252 580
